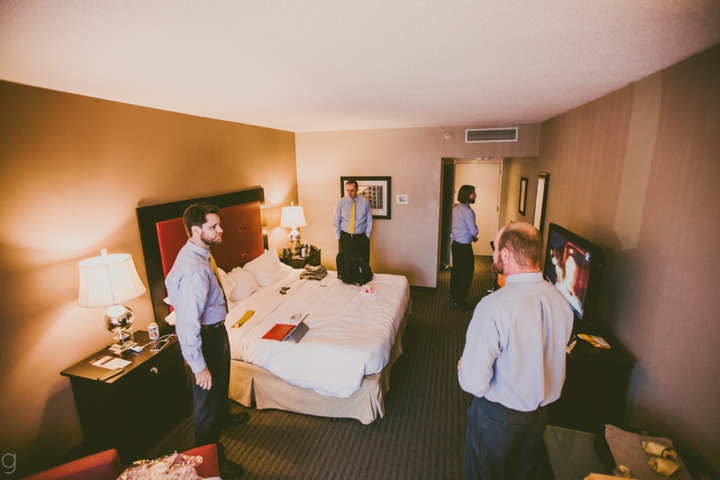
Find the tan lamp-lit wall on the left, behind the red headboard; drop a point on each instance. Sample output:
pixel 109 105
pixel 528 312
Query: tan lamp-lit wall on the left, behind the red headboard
pixel 72 171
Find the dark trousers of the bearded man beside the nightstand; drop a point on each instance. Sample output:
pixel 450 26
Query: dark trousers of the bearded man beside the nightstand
pixel 211 410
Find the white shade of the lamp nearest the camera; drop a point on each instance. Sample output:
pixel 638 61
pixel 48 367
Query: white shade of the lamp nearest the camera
pixel 108 280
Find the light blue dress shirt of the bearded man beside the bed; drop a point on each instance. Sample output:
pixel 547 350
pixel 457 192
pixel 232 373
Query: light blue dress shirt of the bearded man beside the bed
pixel 197 298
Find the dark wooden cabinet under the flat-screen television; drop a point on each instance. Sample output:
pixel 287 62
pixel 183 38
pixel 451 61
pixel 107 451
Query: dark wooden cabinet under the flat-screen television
pixel 595 389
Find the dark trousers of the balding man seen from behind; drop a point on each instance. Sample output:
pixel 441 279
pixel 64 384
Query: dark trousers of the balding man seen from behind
pixel 501 443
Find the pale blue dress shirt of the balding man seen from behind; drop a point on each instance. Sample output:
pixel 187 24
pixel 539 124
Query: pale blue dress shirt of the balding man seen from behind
pixel 515 347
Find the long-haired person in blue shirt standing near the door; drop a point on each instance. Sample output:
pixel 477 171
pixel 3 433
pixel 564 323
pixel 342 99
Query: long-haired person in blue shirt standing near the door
pixel 464 233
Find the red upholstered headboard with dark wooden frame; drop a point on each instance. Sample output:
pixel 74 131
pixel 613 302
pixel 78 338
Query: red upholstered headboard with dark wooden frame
pixel 162 234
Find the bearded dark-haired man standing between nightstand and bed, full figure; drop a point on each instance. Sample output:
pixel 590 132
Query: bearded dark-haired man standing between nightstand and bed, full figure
pixel 196 294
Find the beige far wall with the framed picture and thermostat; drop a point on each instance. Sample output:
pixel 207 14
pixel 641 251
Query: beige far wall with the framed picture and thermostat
pixel 407 244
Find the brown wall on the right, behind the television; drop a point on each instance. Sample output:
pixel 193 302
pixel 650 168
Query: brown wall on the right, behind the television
pixel 637 172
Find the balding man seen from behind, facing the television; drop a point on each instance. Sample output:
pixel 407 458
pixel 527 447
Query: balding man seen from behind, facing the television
pixel 513 362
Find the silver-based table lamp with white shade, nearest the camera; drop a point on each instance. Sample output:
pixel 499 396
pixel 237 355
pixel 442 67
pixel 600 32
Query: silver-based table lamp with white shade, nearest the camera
pixel 108 281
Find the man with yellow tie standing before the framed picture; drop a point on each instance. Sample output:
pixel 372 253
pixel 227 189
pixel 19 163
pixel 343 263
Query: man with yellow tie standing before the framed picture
pixel 353 222
